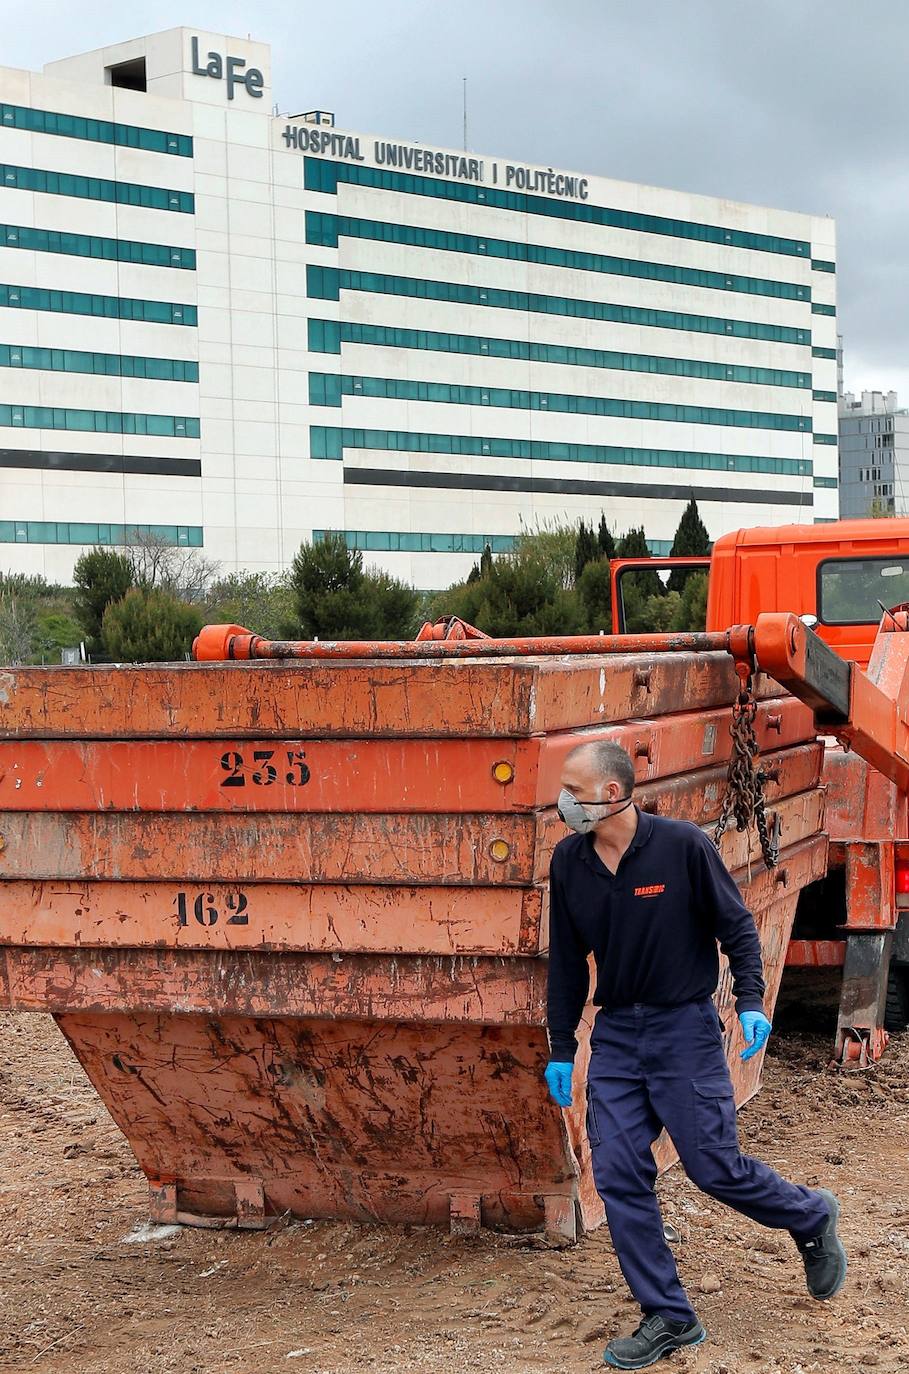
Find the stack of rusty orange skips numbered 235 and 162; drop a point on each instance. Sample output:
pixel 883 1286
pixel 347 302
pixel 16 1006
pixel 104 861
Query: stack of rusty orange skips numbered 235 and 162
pixel 292 916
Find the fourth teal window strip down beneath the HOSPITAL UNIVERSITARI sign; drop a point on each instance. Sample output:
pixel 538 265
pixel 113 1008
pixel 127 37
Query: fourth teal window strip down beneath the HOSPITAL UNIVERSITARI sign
pixel 327 337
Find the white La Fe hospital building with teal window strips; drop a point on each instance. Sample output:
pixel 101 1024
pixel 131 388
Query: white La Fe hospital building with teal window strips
pixel 424 348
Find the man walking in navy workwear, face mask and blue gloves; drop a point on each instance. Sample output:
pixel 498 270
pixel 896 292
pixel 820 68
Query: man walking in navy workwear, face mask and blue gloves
pixel 652 899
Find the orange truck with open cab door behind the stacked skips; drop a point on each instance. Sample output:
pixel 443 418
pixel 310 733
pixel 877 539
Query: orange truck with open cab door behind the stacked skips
pixel 841 579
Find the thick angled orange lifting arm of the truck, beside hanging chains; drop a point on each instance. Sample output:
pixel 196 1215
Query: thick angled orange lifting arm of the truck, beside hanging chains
pixel 867 712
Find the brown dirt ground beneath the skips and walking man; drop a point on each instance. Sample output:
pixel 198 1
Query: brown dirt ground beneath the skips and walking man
pixel 337 1298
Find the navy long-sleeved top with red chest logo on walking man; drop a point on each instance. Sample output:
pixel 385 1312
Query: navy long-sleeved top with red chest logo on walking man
pixel 653 927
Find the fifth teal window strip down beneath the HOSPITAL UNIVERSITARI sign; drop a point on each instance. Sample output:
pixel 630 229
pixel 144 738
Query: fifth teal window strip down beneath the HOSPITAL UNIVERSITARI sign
pixel 327 390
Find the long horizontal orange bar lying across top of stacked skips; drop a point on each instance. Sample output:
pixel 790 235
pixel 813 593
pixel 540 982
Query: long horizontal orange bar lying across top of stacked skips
pixel 220 642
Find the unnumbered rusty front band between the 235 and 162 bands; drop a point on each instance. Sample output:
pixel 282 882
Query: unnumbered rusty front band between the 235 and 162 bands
pixel 233 848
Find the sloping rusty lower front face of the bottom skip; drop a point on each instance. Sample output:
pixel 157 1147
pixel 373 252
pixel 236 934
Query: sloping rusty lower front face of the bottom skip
pixel 373 1120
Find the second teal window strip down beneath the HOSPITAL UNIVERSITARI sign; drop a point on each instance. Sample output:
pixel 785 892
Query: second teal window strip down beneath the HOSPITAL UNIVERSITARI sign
pixel 325 232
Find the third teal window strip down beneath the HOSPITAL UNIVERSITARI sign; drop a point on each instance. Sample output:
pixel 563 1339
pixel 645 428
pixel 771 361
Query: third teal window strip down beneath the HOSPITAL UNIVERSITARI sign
pixel 326 284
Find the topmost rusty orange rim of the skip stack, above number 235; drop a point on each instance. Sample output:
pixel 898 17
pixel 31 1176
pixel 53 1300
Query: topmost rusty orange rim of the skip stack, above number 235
pixel 285 701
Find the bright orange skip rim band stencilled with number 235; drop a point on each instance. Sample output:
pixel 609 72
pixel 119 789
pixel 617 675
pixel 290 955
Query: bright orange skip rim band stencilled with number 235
pixel 365 776
